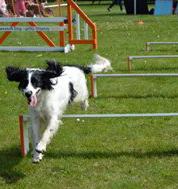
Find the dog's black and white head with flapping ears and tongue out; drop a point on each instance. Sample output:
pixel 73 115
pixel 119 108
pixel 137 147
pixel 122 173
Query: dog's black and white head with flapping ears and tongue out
pixel 33 81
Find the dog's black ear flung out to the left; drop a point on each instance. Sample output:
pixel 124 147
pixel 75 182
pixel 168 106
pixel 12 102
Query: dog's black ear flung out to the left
pixel 15 74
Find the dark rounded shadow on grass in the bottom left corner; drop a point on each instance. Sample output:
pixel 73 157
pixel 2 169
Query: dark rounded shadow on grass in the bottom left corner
pixel 9 159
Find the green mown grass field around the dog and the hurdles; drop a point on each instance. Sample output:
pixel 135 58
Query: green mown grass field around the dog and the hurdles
pixel 133 153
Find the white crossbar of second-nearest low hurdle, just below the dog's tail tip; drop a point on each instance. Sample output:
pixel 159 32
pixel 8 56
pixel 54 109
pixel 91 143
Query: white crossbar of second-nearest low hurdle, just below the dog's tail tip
pixel 138 75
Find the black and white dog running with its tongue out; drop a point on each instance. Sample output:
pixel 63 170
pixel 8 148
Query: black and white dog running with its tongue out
pixel 49 91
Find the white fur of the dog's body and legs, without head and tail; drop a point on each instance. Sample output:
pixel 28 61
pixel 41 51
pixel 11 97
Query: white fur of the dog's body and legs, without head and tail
pixel 52 104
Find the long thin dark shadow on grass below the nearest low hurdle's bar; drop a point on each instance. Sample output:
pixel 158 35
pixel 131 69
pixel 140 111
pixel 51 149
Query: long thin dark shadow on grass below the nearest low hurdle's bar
pixel 111 154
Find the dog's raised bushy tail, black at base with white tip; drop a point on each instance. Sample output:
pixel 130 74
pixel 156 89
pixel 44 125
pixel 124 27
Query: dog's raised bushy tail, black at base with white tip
pixel 100 64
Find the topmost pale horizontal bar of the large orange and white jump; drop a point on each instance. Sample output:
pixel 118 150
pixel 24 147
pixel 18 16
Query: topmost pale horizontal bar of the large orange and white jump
pixel 32 19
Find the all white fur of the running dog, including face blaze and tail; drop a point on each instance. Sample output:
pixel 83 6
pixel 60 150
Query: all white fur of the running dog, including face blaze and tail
pixel 49 106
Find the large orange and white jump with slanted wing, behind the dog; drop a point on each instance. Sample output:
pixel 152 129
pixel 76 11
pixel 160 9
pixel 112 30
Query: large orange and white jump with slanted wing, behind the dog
pixel 65 27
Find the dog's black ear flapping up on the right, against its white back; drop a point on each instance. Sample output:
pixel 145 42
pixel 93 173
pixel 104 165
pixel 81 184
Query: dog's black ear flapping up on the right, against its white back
pixel 54 69
